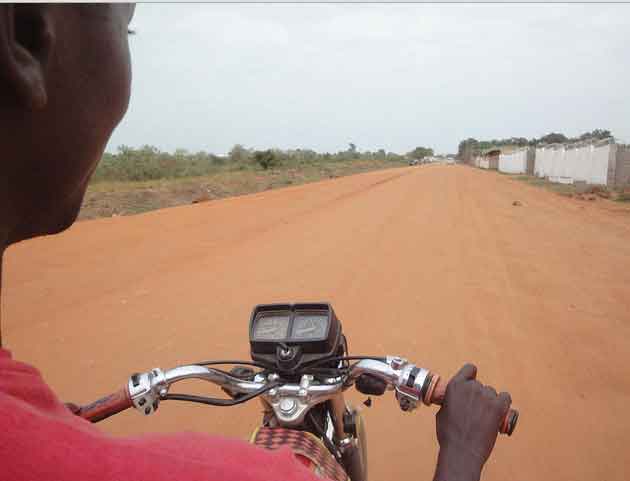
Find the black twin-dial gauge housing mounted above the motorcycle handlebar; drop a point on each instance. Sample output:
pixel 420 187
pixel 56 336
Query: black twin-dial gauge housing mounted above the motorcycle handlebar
pixel 288 347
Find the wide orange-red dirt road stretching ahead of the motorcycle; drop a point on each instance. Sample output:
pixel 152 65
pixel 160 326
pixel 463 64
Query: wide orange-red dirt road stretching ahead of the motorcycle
pixel 434 263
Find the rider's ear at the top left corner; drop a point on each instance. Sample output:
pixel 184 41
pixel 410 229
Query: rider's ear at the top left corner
pixel 26 42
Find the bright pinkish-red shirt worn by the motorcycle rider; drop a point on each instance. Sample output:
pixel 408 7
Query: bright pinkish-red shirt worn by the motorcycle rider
pixel 41 440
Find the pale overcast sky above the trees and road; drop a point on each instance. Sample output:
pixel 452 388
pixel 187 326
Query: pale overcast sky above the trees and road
pixel 208 76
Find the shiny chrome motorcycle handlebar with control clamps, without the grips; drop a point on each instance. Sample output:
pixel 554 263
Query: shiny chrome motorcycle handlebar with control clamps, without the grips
pixel 289 401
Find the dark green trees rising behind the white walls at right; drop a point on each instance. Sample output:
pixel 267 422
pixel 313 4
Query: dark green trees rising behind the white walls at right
pixel 472 146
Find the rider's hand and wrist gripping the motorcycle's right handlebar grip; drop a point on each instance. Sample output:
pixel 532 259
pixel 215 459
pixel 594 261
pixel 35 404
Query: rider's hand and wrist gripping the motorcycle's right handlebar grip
pixel 467 425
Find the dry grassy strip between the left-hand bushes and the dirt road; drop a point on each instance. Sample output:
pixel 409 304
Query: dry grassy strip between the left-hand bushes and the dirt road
pixel 107 199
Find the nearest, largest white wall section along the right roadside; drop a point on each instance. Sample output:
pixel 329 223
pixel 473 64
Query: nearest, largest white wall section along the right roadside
pixel 592 163
